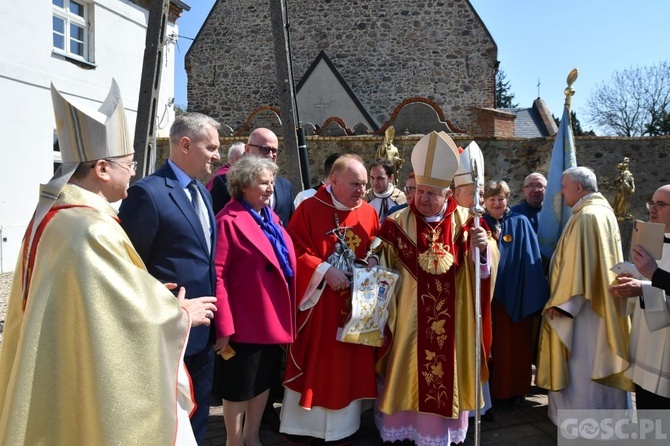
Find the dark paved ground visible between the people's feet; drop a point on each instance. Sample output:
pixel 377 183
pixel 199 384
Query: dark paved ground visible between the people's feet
pixel 523 425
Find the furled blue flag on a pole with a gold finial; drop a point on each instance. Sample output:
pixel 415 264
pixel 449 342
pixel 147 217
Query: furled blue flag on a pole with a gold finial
pixel 555 213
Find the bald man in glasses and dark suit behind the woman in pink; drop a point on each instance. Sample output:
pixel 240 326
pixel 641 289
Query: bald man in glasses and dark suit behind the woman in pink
pixel 262 142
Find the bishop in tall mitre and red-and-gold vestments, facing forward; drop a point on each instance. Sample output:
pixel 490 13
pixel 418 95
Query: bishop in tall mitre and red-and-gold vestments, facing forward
pixel 428 368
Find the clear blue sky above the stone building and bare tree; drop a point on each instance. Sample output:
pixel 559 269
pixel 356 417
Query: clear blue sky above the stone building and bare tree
pixel 538 39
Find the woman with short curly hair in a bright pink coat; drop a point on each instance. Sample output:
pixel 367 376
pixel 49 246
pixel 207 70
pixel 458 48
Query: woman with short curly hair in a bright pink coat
pixel 255 268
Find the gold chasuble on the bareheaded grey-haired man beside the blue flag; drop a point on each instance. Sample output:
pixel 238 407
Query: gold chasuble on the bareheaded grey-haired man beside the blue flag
pixel 589 246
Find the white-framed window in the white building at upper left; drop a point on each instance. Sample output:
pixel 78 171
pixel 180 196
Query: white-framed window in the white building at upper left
pixel 71 28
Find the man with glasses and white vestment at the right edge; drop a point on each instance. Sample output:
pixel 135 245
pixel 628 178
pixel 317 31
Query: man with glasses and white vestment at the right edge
pixel 650 334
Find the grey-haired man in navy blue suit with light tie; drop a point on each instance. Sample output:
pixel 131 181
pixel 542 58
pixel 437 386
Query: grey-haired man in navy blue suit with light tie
pixel 161 217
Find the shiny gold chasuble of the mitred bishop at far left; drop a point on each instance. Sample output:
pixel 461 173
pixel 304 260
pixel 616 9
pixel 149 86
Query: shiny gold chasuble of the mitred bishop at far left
pixel 92 349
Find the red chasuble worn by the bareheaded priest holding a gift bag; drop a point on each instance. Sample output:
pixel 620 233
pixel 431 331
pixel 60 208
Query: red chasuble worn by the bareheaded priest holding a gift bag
pixel 325 372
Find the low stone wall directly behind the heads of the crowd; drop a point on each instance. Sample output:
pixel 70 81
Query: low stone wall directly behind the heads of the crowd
pixel 510 159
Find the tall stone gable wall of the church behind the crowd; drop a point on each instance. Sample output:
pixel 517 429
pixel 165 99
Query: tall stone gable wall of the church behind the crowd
pixel 386 50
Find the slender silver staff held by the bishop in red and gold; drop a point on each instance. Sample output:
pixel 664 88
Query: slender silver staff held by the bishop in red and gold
pixel 478 212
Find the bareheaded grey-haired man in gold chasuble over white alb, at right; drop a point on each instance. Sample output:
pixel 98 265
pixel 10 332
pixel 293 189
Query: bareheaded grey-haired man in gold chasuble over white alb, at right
pixel 583 350
